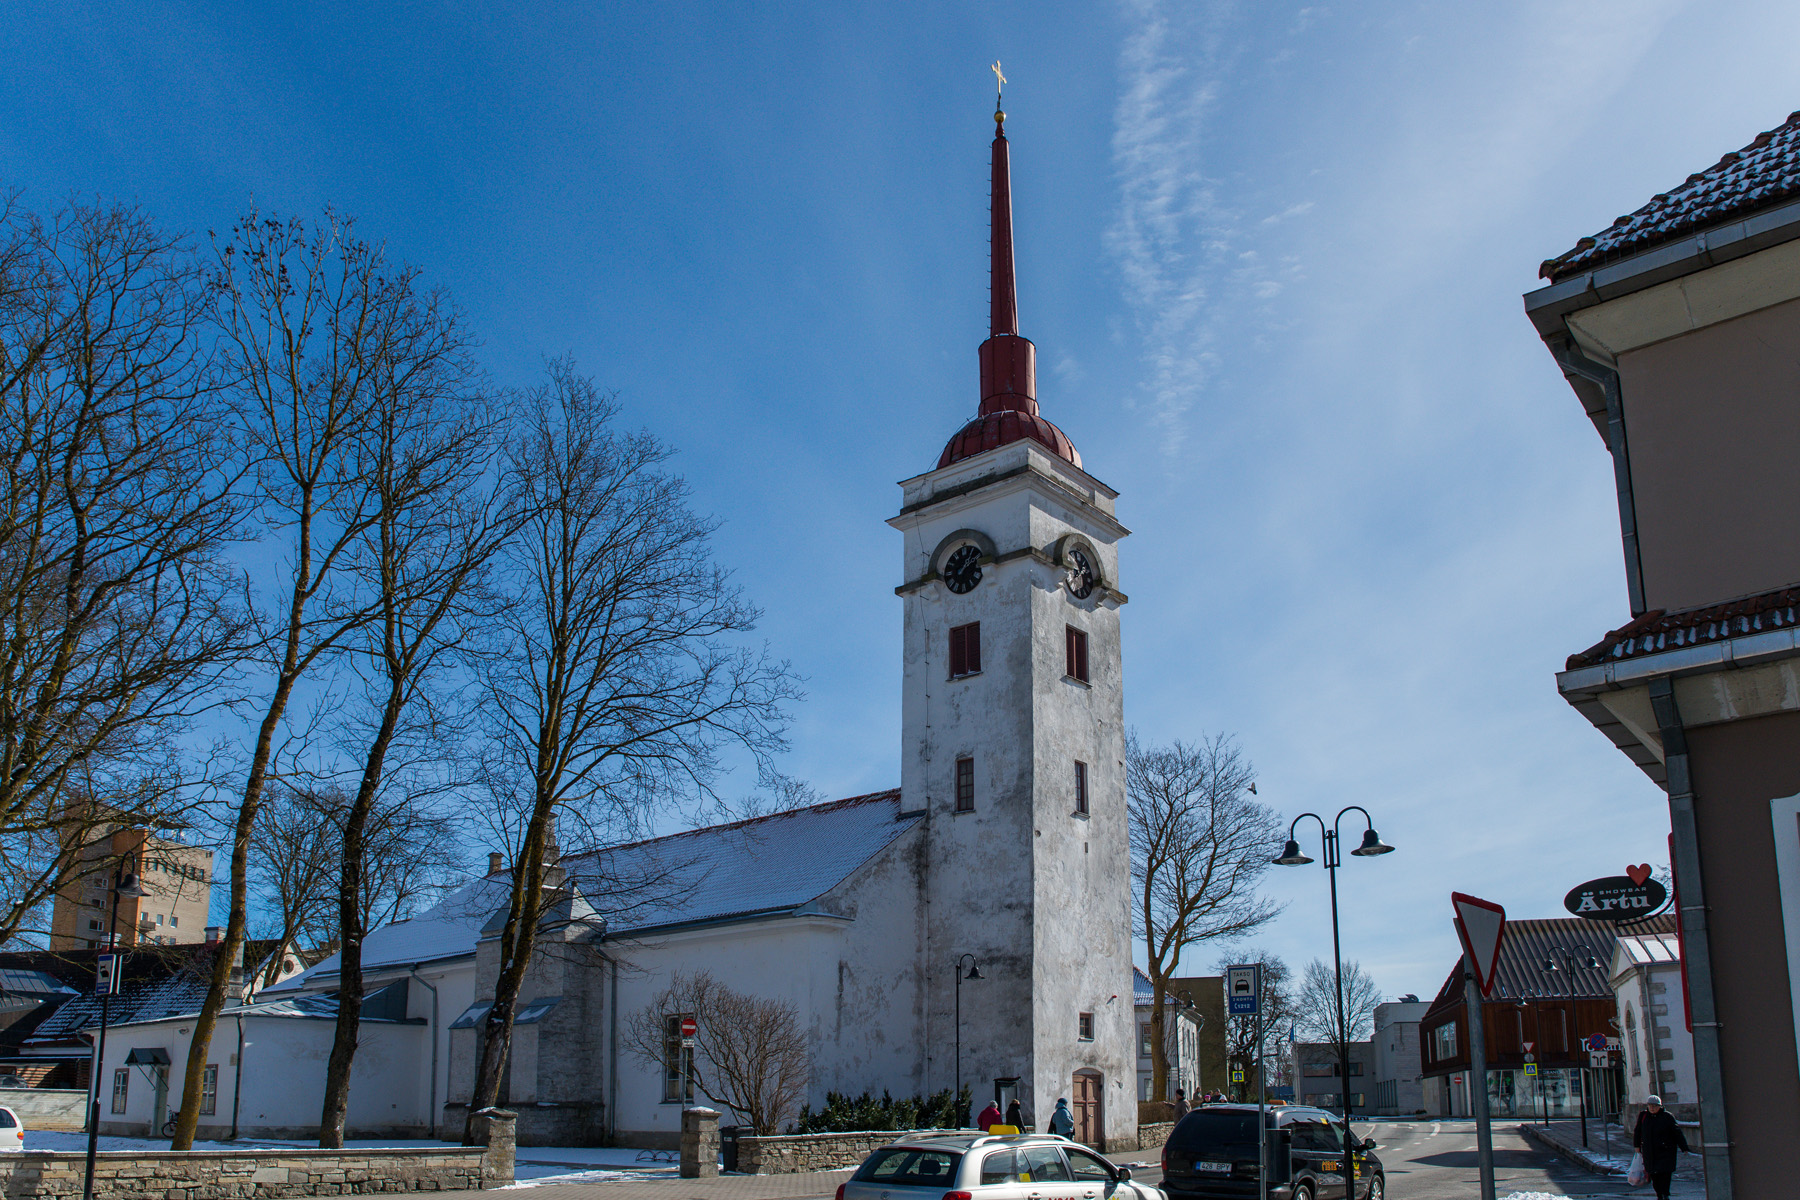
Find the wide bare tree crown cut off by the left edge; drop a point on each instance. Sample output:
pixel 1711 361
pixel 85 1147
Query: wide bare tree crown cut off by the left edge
pixel 118 496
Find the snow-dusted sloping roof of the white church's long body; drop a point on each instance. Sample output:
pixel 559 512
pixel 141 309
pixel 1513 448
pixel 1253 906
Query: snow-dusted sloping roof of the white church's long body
pixel 769 864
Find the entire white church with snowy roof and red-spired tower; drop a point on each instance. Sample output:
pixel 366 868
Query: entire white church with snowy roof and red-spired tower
pixel 1005 845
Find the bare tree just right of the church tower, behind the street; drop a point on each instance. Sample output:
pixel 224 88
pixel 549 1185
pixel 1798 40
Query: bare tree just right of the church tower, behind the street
pixel 1200 845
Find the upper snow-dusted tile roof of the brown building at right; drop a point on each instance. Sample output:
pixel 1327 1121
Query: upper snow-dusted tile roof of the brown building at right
pixel 1756 177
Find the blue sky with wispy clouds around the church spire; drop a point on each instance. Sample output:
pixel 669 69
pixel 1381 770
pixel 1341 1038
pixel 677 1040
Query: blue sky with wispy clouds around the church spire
pixel 1272 258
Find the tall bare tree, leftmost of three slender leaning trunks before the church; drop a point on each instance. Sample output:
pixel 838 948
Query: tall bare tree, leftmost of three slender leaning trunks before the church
pixel 310 319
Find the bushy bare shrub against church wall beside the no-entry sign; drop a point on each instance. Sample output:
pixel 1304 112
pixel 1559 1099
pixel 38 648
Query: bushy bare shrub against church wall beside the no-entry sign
pixel 750 1053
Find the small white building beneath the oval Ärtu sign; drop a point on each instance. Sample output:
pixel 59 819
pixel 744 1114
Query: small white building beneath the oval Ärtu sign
pixel 1653 1035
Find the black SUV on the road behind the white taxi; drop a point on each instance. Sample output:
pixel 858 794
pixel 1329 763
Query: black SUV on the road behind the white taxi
pixel 1212 1156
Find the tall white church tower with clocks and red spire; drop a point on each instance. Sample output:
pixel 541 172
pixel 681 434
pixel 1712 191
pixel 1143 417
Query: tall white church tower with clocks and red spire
pixel 1014 746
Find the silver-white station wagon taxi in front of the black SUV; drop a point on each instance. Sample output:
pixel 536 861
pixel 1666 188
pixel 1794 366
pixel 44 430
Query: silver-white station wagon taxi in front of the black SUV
pixel 985 1167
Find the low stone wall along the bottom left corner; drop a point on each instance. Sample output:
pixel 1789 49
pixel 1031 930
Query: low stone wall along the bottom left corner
pixel 242 1176
